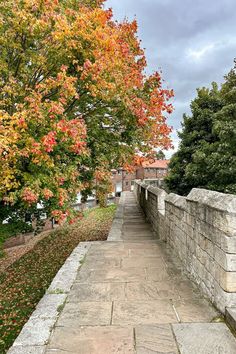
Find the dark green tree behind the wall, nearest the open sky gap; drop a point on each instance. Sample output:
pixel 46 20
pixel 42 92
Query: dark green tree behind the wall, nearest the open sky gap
pixel 188 167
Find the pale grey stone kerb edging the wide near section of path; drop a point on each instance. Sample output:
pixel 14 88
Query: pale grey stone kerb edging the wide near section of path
pixel 35 334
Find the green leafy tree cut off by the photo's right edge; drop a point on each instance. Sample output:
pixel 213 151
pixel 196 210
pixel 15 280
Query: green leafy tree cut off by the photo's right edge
pixel 220 157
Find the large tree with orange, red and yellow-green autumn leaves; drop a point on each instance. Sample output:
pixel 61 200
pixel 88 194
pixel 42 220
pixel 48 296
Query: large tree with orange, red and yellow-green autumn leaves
pixel 73 94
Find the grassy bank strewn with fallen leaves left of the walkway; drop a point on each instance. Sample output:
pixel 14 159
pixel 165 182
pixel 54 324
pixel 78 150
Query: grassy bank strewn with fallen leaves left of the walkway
pixel 24 283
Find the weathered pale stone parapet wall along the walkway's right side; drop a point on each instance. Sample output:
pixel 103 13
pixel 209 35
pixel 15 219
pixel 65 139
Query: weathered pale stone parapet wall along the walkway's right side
pixel 201 230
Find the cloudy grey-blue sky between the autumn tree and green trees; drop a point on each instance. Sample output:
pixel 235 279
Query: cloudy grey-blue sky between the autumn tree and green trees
pixel 193 42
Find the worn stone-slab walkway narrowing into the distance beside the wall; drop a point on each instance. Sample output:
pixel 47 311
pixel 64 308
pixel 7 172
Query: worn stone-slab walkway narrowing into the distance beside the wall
pixel 130 297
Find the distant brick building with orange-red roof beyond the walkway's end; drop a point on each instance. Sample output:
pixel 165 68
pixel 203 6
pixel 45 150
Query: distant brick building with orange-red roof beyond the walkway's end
pixel 123 180
